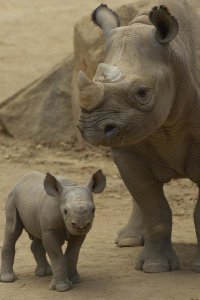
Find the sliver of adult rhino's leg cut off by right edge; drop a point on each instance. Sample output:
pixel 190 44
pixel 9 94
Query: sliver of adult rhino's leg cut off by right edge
pixel 196 263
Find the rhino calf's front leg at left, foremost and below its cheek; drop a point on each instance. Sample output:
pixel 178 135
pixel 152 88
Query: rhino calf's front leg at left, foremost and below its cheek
pixel 52 245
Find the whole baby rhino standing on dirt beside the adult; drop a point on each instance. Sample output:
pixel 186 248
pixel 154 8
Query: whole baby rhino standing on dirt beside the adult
pixel 52 210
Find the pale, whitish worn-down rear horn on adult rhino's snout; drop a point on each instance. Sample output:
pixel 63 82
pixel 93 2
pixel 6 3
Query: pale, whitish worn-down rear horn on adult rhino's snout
pixel 107 73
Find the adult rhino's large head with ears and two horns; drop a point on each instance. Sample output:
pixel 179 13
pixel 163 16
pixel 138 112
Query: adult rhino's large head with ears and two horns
pixel 132 92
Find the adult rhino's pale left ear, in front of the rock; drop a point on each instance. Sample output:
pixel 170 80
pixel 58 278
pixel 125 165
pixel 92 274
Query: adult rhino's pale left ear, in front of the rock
pixel 105 18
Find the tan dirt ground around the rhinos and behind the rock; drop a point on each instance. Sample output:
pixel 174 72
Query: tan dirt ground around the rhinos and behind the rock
pixel 34 36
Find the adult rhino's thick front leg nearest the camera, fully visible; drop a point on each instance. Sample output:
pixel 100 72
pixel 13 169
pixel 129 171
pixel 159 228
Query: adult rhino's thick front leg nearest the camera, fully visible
pixel 157 254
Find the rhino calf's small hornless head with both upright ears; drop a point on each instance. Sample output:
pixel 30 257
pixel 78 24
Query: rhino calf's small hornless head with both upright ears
pixel 76 202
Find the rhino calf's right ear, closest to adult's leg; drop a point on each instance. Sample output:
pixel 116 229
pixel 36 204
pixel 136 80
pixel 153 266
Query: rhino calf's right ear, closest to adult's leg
pixel 97 183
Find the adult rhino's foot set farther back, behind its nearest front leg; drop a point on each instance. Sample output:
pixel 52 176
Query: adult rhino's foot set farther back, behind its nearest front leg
pixel 128 237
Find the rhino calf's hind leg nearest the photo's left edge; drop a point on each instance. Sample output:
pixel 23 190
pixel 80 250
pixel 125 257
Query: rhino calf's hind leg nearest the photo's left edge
pixel 13 230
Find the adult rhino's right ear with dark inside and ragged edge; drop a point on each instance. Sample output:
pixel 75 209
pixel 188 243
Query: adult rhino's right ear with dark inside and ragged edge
pixel 166 25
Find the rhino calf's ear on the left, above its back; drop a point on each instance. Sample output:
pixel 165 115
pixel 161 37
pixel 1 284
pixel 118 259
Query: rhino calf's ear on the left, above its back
pixel 52 186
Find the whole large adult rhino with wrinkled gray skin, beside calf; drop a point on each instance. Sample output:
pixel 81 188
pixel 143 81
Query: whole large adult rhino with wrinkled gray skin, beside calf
pixel 144 103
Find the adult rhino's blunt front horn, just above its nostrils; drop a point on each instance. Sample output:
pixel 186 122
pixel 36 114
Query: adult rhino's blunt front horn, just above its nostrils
pixel 91 93
